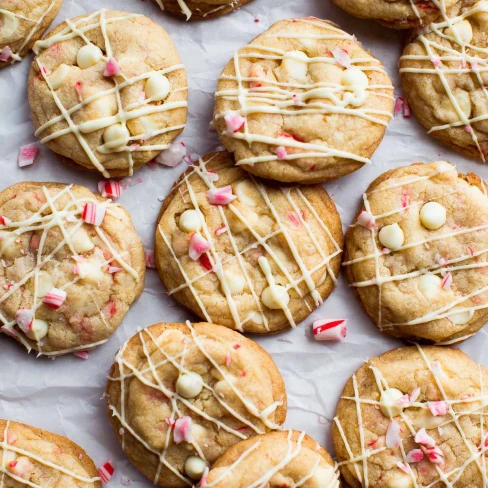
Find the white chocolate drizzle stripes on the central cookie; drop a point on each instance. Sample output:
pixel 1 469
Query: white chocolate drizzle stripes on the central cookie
pixel 293 197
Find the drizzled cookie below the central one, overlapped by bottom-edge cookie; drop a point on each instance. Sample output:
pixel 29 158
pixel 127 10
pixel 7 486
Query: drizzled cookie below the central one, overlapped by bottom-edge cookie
pixel 179 395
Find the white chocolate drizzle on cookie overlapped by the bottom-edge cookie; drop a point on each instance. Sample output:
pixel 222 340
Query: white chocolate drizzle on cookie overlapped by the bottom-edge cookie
pixel 127 371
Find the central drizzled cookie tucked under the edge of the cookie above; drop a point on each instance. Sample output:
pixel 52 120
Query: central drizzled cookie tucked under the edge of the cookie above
pixel 244 254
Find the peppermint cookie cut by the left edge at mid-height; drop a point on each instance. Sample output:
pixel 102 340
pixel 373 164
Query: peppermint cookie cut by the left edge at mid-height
pixel 71 265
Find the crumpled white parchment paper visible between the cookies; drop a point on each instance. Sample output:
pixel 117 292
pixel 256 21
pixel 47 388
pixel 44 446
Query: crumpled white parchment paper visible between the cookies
pixel 65 395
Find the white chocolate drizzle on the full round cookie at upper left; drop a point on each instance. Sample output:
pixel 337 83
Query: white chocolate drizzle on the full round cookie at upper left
pixel 145 107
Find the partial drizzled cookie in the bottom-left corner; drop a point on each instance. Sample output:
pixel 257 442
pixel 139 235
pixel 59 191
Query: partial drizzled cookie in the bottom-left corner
pixel 34 457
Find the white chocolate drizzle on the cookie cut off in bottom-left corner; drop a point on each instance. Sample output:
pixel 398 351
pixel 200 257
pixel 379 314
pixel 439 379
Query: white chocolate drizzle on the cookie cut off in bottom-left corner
pixel 5 448
